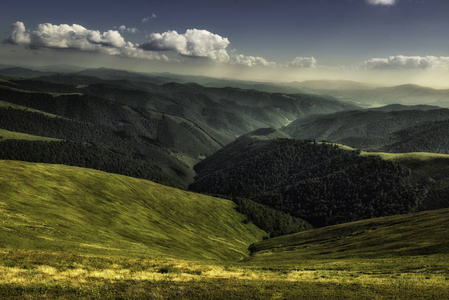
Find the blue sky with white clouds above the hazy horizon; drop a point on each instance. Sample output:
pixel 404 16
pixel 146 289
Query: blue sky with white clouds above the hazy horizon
pixel 383 42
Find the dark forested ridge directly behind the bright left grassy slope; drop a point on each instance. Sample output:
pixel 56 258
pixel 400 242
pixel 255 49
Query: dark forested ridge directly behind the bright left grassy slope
pixel 104 135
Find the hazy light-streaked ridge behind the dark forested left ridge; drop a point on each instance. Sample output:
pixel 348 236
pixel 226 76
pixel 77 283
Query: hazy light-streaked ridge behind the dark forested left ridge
pixel 222 112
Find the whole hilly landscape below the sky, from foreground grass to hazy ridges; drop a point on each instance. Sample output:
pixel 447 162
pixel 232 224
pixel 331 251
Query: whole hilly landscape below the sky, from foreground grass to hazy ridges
pixel 163 186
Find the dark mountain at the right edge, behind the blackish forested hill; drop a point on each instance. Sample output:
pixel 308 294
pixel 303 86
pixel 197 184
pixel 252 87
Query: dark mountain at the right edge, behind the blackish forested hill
pixel 379 129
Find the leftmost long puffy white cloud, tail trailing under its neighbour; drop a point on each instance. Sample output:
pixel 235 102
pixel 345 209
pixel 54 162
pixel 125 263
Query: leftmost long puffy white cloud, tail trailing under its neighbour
pixel 76 37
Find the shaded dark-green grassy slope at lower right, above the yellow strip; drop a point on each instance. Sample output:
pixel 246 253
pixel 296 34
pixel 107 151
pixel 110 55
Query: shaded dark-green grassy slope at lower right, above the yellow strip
pixel 412 235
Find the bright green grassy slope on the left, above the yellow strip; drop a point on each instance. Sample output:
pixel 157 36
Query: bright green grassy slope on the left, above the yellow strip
pixel 61 208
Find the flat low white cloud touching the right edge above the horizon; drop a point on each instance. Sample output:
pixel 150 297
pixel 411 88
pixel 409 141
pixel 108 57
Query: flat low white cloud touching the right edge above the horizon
pixel 399 62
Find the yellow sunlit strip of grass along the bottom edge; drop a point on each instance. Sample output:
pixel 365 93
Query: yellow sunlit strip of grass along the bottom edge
pixel 62 275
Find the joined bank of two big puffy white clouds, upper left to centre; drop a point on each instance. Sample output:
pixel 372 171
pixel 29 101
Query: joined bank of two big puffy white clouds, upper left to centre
pixel 194 43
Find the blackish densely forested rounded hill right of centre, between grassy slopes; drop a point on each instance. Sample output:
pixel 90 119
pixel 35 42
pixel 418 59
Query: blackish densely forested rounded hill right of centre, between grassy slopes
pixel 319 183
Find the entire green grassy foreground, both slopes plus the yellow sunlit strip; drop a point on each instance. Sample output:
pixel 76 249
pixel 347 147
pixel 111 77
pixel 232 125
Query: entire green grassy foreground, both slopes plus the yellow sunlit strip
pixel 73 233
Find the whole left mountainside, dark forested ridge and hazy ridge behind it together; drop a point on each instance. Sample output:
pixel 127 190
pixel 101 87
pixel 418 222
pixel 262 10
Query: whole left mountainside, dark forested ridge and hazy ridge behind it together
pixel 141 129
